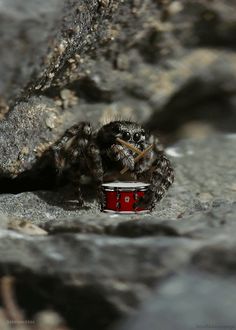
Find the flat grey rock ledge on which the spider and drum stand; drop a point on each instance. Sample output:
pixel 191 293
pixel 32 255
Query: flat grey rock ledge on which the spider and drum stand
pixel 200 187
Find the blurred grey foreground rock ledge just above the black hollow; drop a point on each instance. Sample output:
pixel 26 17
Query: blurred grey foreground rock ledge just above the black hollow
pixel 87 261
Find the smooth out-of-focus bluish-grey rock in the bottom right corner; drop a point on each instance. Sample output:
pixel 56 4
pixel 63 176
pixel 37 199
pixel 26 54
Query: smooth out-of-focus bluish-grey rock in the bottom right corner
pixel 189 300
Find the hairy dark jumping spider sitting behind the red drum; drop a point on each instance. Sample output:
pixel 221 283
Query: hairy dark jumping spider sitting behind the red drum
pixel 85 151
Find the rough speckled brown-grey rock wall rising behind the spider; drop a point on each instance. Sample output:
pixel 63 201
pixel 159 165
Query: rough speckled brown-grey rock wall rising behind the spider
pixel 100 59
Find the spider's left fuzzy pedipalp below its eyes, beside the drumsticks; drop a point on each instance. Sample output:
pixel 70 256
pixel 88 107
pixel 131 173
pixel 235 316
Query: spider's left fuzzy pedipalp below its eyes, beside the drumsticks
pixel 123 155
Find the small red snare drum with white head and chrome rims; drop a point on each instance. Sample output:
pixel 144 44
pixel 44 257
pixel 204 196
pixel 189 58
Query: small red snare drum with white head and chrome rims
pixel 120 197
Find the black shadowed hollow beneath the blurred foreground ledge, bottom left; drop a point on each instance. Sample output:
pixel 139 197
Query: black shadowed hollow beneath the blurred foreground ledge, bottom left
pixel 82 307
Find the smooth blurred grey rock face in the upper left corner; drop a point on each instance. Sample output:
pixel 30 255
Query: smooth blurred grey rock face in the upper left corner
pixel 26 28
